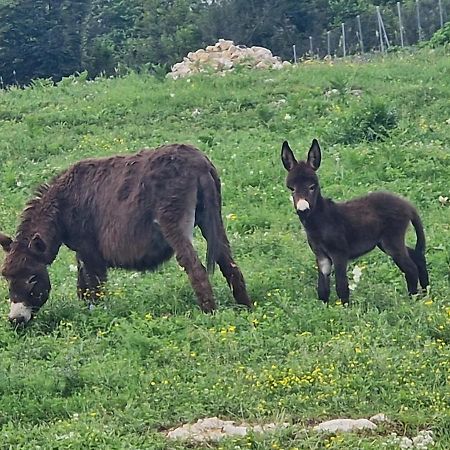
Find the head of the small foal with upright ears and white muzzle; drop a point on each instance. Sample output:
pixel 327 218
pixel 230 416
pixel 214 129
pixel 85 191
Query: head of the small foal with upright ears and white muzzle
pixel 302 179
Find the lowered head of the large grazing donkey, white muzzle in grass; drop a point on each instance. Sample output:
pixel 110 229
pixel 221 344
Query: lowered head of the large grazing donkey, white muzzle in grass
pixel 27 277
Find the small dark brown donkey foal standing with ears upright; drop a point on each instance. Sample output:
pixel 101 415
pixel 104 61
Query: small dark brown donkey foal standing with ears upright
pixel 338 232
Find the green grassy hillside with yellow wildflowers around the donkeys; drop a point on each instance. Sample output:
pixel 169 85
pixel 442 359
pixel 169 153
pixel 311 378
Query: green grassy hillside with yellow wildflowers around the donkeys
pixel 146 359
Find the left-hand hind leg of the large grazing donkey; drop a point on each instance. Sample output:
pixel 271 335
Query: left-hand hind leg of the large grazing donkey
pixel 178 238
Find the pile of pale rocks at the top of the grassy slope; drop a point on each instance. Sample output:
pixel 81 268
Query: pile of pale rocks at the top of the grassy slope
pixel 225 56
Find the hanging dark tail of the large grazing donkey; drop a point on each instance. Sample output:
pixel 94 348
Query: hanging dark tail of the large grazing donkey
pixel 209 216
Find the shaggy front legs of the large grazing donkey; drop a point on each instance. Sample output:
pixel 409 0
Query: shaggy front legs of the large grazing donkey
pixel 91 277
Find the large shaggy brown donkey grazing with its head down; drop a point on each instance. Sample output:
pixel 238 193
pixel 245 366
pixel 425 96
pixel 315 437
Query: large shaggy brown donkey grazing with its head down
pixel 132 212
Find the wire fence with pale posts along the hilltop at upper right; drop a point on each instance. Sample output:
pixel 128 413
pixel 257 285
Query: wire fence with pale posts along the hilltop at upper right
pixel 378 30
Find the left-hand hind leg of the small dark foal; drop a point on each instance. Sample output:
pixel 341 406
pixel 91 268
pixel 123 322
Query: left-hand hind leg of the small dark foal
pixel 395 247
